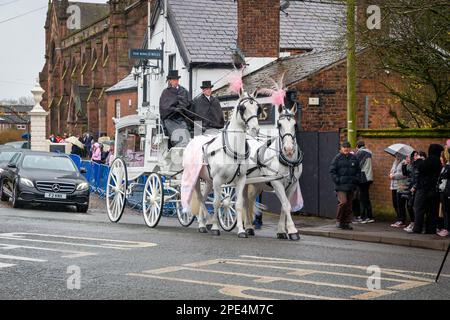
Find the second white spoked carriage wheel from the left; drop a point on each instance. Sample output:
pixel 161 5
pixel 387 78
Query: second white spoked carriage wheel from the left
pixel 153 200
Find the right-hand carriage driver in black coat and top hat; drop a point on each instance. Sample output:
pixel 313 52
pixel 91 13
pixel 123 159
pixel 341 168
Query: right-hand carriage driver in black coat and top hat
pixel 207 109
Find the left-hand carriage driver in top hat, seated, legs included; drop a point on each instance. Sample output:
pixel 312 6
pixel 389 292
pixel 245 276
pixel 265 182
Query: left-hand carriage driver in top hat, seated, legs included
pixel 172 103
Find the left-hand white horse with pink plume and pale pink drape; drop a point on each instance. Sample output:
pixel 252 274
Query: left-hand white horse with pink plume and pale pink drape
pixel 221 160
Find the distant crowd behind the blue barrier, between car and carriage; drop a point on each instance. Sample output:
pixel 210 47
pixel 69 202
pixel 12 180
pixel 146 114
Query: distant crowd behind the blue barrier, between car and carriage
pixel 87 148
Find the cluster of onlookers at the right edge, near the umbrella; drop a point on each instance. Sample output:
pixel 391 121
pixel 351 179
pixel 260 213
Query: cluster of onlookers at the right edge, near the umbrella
pixel 421 190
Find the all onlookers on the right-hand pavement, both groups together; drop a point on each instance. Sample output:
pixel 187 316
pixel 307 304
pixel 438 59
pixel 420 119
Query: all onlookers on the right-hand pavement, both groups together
pixel 419 182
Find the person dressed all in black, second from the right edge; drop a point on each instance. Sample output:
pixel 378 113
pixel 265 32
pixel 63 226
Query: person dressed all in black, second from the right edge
pixel 426 202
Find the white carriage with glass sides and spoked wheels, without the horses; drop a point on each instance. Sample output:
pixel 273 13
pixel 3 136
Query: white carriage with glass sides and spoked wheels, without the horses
pixel 143 159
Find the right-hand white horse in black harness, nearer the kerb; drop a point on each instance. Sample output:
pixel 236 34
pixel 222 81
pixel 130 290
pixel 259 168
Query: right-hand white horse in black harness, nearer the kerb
pixel 279 156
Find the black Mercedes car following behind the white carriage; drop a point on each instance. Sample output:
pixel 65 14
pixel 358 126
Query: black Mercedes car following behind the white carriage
pixel 43 177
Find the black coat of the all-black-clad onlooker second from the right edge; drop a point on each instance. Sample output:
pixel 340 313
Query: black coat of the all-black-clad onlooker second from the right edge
pixel 428 170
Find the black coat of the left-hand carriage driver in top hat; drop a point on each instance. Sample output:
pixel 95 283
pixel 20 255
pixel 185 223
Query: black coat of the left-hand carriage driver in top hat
pixel 172 101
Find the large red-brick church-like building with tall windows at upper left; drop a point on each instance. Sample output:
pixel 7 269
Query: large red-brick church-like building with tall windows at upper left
pixel 82 63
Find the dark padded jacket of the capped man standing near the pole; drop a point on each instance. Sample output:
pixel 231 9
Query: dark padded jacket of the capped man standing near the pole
pixel 345 172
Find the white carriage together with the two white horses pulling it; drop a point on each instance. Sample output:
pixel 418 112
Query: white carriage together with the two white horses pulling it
pixel 143 157
